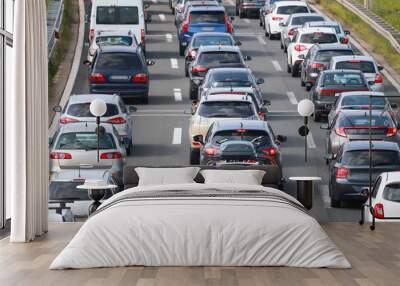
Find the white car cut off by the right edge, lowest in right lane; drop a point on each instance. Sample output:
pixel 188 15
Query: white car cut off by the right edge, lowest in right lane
pixel 385 198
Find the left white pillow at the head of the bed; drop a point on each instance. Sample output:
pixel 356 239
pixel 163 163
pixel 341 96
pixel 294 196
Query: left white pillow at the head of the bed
pixel 166 176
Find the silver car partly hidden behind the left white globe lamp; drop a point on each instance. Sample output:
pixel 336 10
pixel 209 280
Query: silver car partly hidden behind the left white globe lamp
pixel 118 114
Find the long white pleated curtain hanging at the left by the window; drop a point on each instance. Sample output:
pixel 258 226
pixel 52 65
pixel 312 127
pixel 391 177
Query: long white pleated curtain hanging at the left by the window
pixel 26 123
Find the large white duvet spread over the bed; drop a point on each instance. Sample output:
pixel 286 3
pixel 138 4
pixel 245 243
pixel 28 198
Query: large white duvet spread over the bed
pixel 224 225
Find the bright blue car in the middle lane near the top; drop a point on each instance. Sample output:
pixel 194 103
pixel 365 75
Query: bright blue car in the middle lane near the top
pixel 202 19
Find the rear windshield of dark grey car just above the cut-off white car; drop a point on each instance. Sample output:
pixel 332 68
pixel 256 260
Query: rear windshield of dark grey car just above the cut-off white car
pixel 379 158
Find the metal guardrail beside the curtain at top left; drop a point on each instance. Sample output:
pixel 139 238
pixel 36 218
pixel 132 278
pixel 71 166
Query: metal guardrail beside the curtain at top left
pixel 54 18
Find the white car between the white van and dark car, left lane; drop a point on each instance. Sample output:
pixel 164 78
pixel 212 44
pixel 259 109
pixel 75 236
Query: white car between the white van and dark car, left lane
pixel 111 38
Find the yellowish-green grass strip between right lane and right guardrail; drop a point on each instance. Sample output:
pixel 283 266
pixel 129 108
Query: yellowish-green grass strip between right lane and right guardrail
pixel 378 43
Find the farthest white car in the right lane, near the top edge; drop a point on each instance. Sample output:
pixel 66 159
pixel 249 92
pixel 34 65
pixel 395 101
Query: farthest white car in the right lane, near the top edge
pixel 279 13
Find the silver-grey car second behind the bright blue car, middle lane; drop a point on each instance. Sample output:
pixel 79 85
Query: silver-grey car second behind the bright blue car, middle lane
pixel 209 57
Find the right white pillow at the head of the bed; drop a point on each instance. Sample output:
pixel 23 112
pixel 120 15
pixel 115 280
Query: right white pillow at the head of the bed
pixel 248 177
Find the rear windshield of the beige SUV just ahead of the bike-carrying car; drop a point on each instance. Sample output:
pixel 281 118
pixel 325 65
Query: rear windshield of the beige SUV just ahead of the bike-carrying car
pixel 234 109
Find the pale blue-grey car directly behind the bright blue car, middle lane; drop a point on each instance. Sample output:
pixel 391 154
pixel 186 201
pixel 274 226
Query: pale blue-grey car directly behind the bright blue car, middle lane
pixel 206 39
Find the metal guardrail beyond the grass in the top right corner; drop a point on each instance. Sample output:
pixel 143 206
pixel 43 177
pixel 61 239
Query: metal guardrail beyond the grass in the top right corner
pixel 377 23
